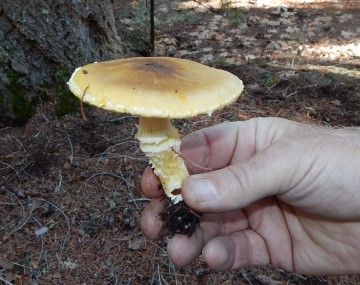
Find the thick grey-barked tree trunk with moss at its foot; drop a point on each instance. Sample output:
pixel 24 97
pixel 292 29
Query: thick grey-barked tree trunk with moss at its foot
pixel 42 41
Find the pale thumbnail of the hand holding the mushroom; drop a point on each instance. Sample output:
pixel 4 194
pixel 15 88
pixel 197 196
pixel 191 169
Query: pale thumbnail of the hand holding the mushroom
pixel 203 189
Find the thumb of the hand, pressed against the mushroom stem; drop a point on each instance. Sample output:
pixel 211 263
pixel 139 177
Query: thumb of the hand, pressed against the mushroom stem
pixel 237 186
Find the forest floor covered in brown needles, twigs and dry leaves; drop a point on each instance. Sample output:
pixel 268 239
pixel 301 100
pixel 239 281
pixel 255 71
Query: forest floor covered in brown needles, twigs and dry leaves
pixel 69 189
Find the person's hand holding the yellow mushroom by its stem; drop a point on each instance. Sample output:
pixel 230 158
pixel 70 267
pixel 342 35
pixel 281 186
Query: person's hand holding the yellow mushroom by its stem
pixel 282 193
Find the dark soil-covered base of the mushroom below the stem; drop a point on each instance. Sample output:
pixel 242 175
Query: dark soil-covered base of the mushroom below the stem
pixel 178 219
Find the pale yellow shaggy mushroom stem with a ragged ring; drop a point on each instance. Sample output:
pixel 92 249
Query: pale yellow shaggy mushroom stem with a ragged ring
pixel 160 141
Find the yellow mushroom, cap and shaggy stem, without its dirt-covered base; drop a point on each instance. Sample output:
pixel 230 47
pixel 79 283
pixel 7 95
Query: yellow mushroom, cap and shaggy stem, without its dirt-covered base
pixel 157 89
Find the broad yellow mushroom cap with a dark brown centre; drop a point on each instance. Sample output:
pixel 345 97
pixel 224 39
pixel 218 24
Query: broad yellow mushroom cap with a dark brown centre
pixel 155 86
